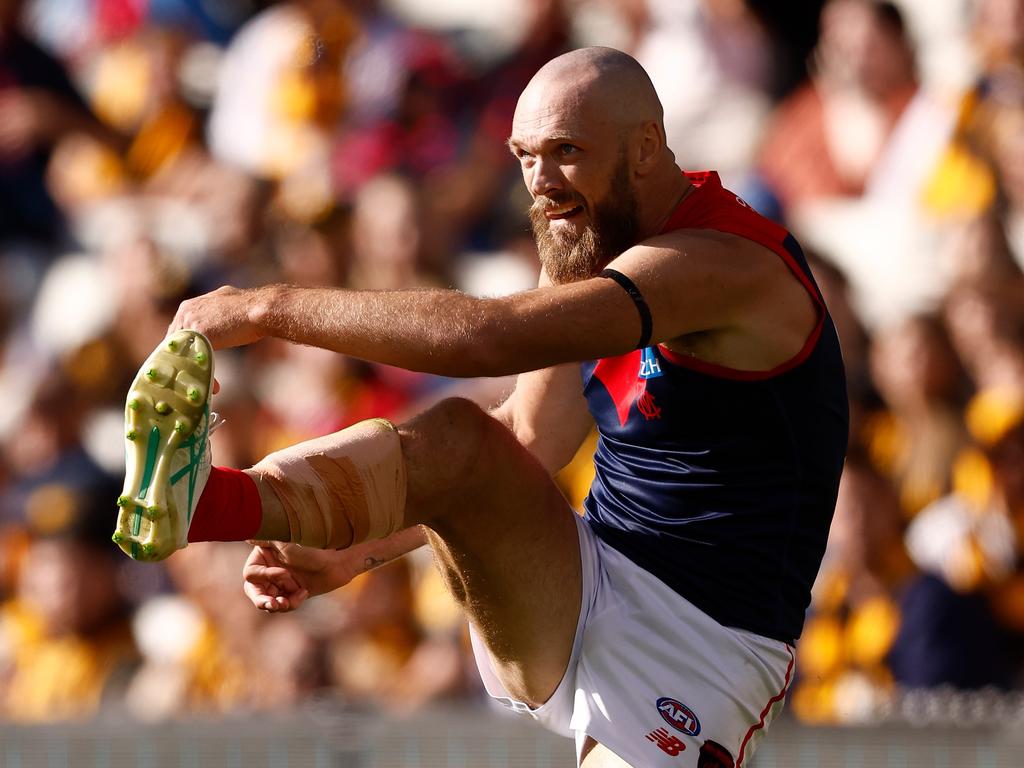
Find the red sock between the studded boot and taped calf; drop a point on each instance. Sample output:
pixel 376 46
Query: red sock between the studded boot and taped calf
pixel 230 509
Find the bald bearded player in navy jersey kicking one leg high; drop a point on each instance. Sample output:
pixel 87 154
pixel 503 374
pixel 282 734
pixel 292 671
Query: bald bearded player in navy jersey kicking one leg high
pixel 658 628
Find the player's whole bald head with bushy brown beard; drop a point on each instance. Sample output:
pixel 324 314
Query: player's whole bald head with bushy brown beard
pixel 589 136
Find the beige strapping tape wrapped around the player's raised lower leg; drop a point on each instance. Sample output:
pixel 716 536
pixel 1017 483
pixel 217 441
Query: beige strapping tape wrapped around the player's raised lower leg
pixel 343 489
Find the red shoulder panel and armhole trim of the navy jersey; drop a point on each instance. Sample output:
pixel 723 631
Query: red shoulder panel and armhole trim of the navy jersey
pixel 705 208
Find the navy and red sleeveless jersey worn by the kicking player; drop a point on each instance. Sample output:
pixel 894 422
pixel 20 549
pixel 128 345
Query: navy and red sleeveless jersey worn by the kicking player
pixel 723 483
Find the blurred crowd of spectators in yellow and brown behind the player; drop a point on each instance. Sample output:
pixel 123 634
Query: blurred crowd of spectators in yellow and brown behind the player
pixel 154 150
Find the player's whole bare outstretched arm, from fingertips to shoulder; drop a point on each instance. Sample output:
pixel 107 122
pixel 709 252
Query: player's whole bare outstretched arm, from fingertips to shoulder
pixel 693 283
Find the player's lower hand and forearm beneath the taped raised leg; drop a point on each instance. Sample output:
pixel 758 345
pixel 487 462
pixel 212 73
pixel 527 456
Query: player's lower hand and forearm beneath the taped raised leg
pixel 281 577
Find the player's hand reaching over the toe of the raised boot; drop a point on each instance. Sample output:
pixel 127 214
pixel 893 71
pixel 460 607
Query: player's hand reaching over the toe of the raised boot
pixel 226 317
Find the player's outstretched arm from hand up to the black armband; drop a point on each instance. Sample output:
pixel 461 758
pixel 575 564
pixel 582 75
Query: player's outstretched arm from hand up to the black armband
pixel 435 331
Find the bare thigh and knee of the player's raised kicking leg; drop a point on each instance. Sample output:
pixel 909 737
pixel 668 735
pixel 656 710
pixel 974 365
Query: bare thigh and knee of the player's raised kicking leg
pixel 504 538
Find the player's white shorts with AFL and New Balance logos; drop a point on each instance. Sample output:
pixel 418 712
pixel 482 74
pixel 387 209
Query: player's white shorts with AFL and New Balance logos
pixel 653 678
